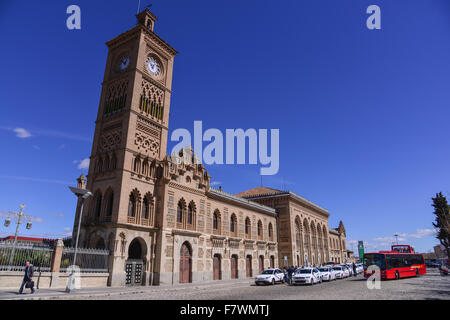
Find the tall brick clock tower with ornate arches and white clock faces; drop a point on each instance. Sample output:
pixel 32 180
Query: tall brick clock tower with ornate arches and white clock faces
pixel 129 147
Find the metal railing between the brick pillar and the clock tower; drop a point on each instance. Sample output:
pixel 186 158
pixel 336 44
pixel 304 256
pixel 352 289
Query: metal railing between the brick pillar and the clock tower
pixel 88 260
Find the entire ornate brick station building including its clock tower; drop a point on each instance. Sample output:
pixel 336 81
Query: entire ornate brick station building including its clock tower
pixel 160 218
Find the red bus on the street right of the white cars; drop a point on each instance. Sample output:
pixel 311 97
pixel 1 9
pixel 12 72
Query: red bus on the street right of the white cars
pixel 398 263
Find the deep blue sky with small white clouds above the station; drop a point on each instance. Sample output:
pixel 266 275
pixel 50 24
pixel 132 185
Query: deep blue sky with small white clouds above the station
pixel 363 115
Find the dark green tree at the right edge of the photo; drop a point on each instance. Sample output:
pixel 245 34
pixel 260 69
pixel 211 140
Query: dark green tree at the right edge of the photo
pixel 442 220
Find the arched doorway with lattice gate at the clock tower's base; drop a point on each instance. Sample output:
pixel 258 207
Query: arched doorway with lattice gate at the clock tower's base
pixel 135 264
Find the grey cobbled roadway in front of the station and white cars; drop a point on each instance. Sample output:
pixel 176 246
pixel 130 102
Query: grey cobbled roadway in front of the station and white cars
pixel 429 286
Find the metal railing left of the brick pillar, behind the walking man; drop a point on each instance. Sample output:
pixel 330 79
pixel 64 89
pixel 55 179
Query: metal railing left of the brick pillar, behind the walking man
pixel 40 256
